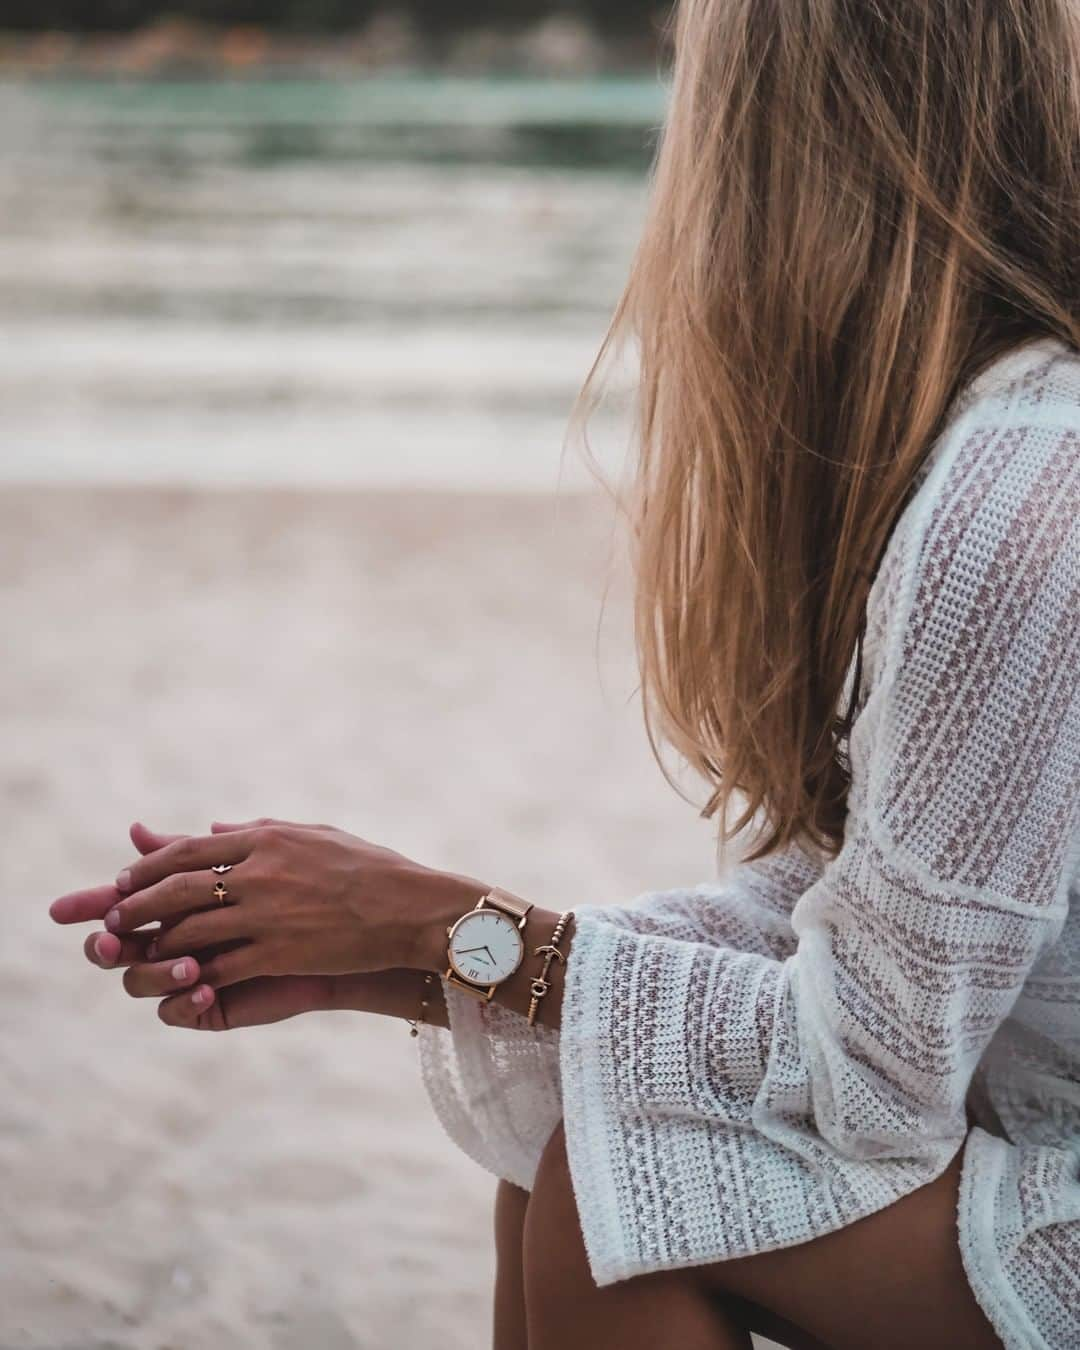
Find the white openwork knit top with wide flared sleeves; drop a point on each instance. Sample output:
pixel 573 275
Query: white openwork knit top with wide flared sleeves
pixel 753 1063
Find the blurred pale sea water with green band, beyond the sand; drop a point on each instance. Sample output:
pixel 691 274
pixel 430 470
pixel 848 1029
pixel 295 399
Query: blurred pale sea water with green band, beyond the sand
pixel 380 281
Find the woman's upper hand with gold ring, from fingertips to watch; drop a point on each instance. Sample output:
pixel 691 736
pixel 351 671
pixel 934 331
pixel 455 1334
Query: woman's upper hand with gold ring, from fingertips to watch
pixel 299 901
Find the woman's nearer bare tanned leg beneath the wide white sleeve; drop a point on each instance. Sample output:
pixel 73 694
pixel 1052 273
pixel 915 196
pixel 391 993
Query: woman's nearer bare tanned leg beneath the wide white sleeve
pixel 893 1280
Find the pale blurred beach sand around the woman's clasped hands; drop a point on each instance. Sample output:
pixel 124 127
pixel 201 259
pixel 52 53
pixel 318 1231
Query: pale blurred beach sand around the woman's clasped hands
pixel 422 669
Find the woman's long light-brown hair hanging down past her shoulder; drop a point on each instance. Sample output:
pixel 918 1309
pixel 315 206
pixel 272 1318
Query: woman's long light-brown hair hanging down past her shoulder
pixel 857 206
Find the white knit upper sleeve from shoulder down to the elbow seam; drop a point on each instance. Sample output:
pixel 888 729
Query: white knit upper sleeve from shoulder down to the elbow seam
pixel 978 630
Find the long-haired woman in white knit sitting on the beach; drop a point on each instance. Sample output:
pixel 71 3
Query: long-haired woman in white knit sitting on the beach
pixel 835 1097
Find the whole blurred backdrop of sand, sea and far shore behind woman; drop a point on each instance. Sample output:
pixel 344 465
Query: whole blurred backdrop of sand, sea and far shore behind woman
pixel 295 302
